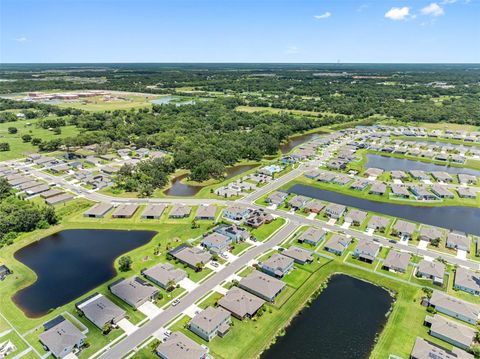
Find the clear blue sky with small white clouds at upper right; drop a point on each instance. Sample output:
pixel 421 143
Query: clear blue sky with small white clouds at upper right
pixel 320 31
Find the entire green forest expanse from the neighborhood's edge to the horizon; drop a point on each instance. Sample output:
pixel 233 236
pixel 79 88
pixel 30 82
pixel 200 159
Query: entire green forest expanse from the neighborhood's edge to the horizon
pixel 207 136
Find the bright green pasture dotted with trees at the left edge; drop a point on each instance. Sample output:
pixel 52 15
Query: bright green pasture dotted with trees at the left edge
pixel 18 148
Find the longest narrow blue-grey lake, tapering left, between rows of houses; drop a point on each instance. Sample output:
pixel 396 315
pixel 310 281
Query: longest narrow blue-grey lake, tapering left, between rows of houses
pixel 464 219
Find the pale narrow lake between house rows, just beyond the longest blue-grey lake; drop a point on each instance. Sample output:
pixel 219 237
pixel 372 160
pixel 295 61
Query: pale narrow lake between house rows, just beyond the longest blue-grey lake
pixel 388 163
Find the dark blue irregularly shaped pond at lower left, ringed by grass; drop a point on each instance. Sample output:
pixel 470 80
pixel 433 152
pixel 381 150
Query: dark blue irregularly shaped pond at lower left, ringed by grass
pixel 70 263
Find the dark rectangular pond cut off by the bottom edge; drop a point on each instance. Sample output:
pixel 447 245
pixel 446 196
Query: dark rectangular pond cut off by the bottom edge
pixel 341 323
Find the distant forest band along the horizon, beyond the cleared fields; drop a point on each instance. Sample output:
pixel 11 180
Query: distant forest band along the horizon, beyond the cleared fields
pixel 427 93
